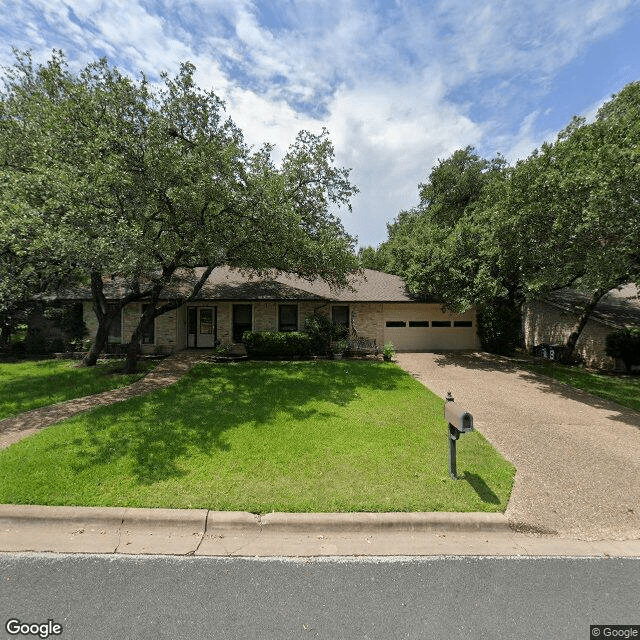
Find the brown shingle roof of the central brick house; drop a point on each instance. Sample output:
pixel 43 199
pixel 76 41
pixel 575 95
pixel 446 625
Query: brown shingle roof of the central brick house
pixel 230 284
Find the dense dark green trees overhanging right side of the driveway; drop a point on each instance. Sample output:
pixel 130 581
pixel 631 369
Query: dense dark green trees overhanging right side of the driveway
pixel 494 236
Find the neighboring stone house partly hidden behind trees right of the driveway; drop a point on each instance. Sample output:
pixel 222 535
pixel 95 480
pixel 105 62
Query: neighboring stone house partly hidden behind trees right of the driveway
pixel 552 321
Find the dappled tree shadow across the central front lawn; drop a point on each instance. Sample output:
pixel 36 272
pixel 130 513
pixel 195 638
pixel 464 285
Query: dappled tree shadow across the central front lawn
pixel 153 432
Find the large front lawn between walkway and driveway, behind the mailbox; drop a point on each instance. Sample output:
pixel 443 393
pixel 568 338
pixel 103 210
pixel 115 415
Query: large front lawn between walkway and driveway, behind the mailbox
pixel 260 437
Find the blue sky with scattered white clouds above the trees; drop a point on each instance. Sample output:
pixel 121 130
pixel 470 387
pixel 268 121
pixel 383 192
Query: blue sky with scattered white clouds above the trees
pixel 398 84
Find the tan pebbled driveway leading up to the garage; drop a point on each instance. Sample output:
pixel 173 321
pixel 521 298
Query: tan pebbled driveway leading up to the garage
pixel 577 456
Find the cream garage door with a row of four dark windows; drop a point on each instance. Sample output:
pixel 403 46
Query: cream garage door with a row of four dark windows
pixel 426 327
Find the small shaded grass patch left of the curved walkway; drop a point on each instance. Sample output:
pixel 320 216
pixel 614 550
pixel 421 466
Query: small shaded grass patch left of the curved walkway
pixel 32 384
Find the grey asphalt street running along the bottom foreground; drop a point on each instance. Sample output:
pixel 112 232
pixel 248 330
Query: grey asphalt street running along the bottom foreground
pixel 156 597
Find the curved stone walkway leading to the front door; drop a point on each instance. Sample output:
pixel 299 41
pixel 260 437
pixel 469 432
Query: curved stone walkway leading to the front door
pixel 169 371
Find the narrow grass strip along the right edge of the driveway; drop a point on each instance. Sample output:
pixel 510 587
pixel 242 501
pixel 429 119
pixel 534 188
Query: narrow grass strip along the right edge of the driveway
pixel 623 389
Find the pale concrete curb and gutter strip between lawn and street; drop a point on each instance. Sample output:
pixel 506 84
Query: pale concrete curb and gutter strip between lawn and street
pixel 26 528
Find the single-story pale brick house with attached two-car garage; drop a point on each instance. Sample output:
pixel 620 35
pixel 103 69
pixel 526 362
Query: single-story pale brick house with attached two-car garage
pixel 375 305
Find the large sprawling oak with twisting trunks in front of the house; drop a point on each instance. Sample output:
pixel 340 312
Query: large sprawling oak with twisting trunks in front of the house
pixel 118 177
